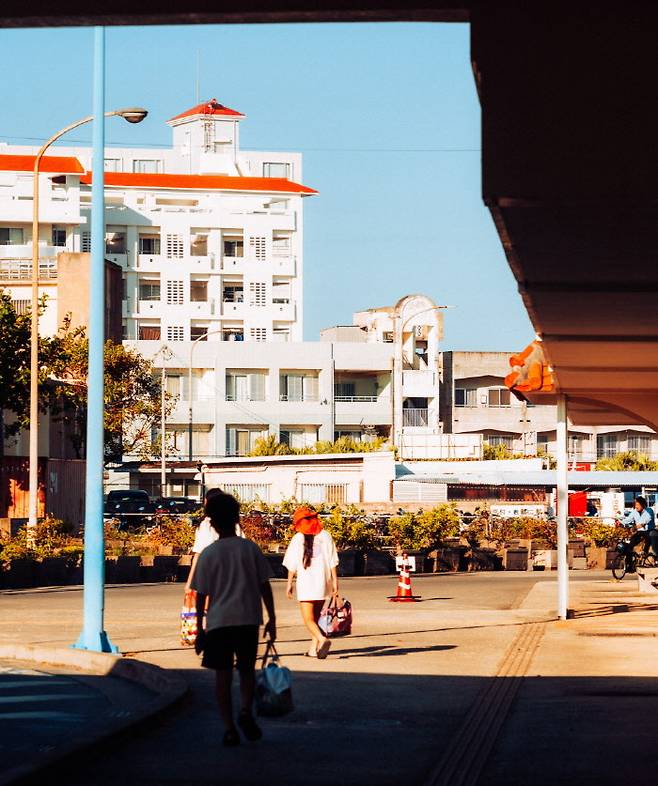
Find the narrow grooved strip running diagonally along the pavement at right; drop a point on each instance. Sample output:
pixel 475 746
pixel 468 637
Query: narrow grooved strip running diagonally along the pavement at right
pixel 471 746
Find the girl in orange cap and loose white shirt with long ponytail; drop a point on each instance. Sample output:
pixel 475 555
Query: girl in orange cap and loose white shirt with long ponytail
pixel 312 557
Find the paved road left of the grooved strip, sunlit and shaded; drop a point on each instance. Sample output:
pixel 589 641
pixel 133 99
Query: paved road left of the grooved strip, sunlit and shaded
pixel 387 701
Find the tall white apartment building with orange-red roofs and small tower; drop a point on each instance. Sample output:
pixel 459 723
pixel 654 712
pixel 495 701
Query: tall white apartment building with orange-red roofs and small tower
pixel 209 237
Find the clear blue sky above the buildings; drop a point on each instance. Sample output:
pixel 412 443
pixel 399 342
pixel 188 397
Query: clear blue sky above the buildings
pixel 387 118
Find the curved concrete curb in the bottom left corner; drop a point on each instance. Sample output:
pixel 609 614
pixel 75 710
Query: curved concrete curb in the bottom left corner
pixel 168 688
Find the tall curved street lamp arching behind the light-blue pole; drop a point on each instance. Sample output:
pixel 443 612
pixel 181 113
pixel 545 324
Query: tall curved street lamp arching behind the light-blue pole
pixel 132 115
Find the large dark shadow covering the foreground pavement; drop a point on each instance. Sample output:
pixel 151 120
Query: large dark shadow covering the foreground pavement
pixel 388 728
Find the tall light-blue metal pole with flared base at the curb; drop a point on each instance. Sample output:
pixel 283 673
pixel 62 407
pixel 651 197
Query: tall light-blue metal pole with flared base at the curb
pixel 93 635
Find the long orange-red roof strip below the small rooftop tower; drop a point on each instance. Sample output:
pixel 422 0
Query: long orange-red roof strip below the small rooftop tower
pixel 202 182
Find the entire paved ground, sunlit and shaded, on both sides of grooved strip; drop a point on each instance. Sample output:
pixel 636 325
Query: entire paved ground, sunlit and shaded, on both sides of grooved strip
pixel 473 683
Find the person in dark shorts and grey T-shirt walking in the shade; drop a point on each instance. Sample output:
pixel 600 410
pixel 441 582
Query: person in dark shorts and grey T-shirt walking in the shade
pixel 232 575
